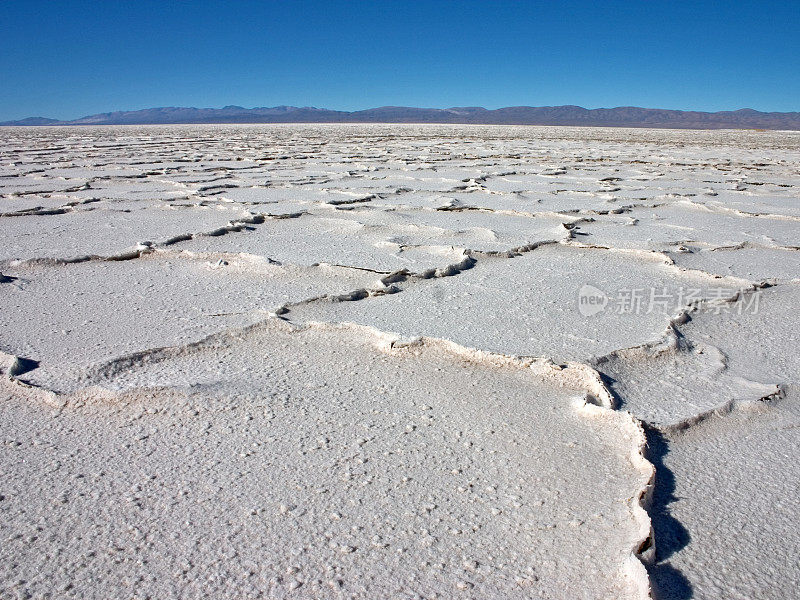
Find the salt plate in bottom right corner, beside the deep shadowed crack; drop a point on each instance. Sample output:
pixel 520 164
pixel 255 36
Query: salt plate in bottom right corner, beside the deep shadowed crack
pixel 735 500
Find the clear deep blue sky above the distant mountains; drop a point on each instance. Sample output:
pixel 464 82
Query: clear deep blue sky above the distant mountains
pixel 66 59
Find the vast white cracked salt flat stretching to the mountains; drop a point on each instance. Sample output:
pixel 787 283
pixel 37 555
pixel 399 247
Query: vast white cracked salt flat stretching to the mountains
pixel 359 361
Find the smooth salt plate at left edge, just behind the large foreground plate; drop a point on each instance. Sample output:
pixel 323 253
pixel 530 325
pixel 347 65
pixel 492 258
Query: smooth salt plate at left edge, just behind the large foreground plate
pixel 68 317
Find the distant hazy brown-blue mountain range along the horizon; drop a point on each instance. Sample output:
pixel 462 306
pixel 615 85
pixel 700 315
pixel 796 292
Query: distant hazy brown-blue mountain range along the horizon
pixel 623 116
